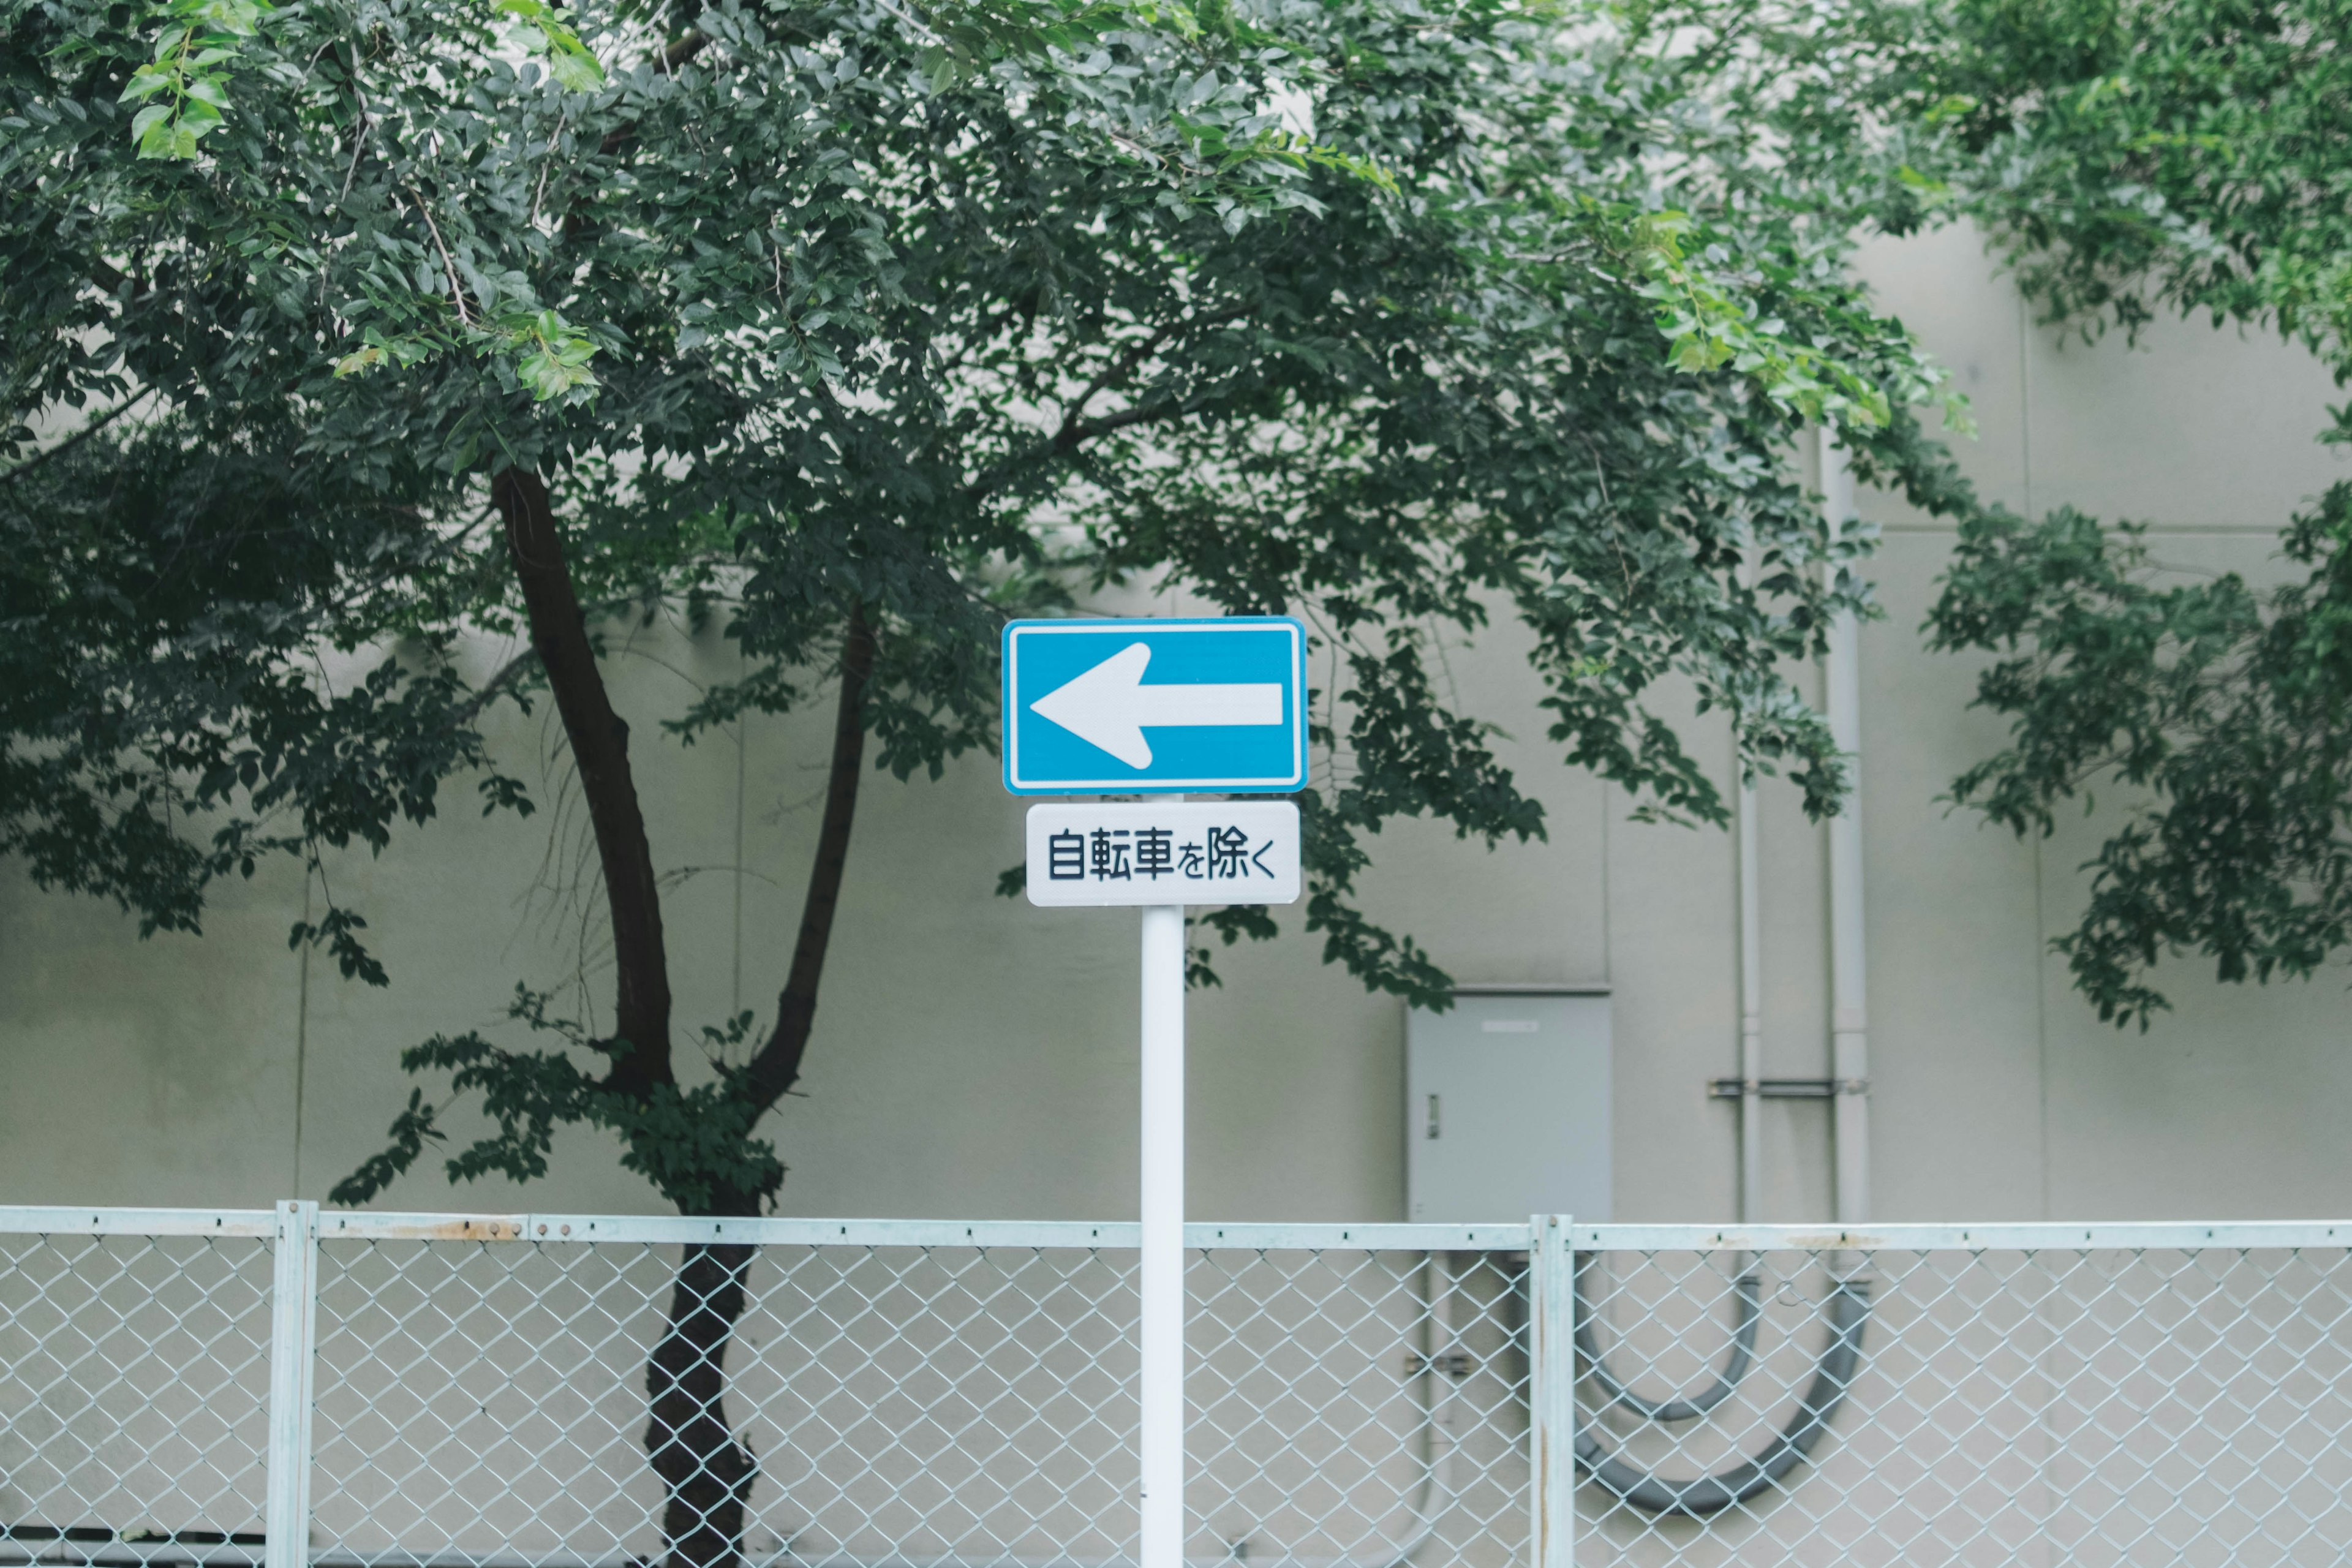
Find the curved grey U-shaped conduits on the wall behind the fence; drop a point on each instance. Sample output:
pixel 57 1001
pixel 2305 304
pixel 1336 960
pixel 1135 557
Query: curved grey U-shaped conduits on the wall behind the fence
pixel 1702 1496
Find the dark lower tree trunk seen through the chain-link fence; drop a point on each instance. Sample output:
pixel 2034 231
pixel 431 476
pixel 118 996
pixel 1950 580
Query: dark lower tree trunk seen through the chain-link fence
pixel 693 1447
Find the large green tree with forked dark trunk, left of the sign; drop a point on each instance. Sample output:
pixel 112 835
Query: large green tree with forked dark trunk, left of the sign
pixel 862 328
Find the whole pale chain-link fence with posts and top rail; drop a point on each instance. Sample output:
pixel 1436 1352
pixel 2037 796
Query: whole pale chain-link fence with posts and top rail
pixel 432 1391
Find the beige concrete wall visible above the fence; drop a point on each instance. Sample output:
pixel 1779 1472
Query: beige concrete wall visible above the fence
pixel 977 1057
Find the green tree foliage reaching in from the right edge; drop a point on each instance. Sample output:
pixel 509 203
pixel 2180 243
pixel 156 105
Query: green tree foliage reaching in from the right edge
pixel 2134 159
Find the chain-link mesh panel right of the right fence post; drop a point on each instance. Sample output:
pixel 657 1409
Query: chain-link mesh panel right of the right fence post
pixel 2078 1407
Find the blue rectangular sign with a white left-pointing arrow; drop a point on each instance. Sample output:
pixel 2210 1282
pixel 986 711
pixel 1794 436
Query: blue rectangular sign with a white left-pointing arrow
pixel 1156 706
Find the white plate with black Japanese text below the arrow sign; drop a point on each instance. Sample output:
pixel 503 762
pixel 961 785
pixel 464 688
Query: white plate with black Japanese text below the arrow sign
pixel 1180 852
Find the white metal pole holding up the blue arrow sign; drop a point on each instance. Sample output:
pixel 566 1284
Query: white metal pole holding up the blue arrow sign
pixel 1163 1238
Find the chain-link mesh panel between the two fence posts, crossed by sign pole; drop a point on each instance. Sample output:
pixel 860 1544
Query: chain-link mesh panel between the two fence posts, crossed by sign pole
pixel 921 1405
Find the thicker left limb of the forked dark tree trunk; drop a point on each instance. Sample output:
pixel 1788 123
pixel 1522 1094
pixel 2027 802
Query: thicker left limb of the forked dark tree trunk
pixel 601 753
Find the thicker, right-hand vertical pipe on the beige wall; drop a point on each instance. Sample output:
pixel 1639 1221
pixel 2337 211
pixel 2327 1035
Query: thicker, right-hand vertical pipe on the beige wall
pixel 1850 1014
